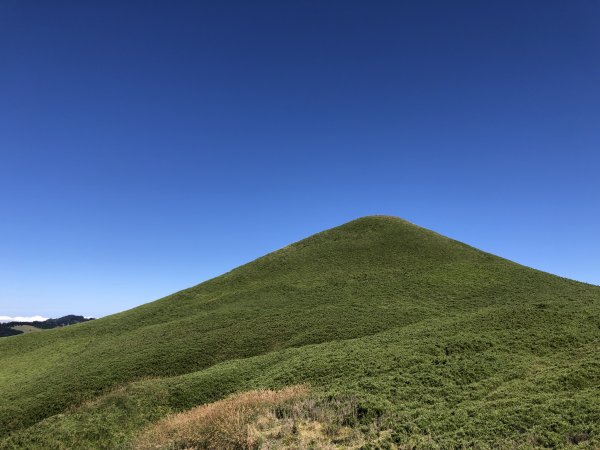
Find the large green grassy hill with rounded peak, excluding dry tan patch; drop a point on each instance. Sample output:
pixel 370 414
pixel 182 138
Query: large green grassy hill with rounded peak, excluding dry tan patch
pixel 443 344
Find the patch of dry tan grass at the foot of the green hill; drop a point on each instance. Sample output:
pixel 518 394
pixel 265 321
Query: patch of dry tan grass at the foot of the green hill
pixel 263 419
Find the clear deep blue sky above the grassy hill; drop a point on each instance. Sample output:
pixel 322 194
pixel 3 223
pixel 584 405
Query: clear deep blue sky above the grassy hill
pixel 148 146
